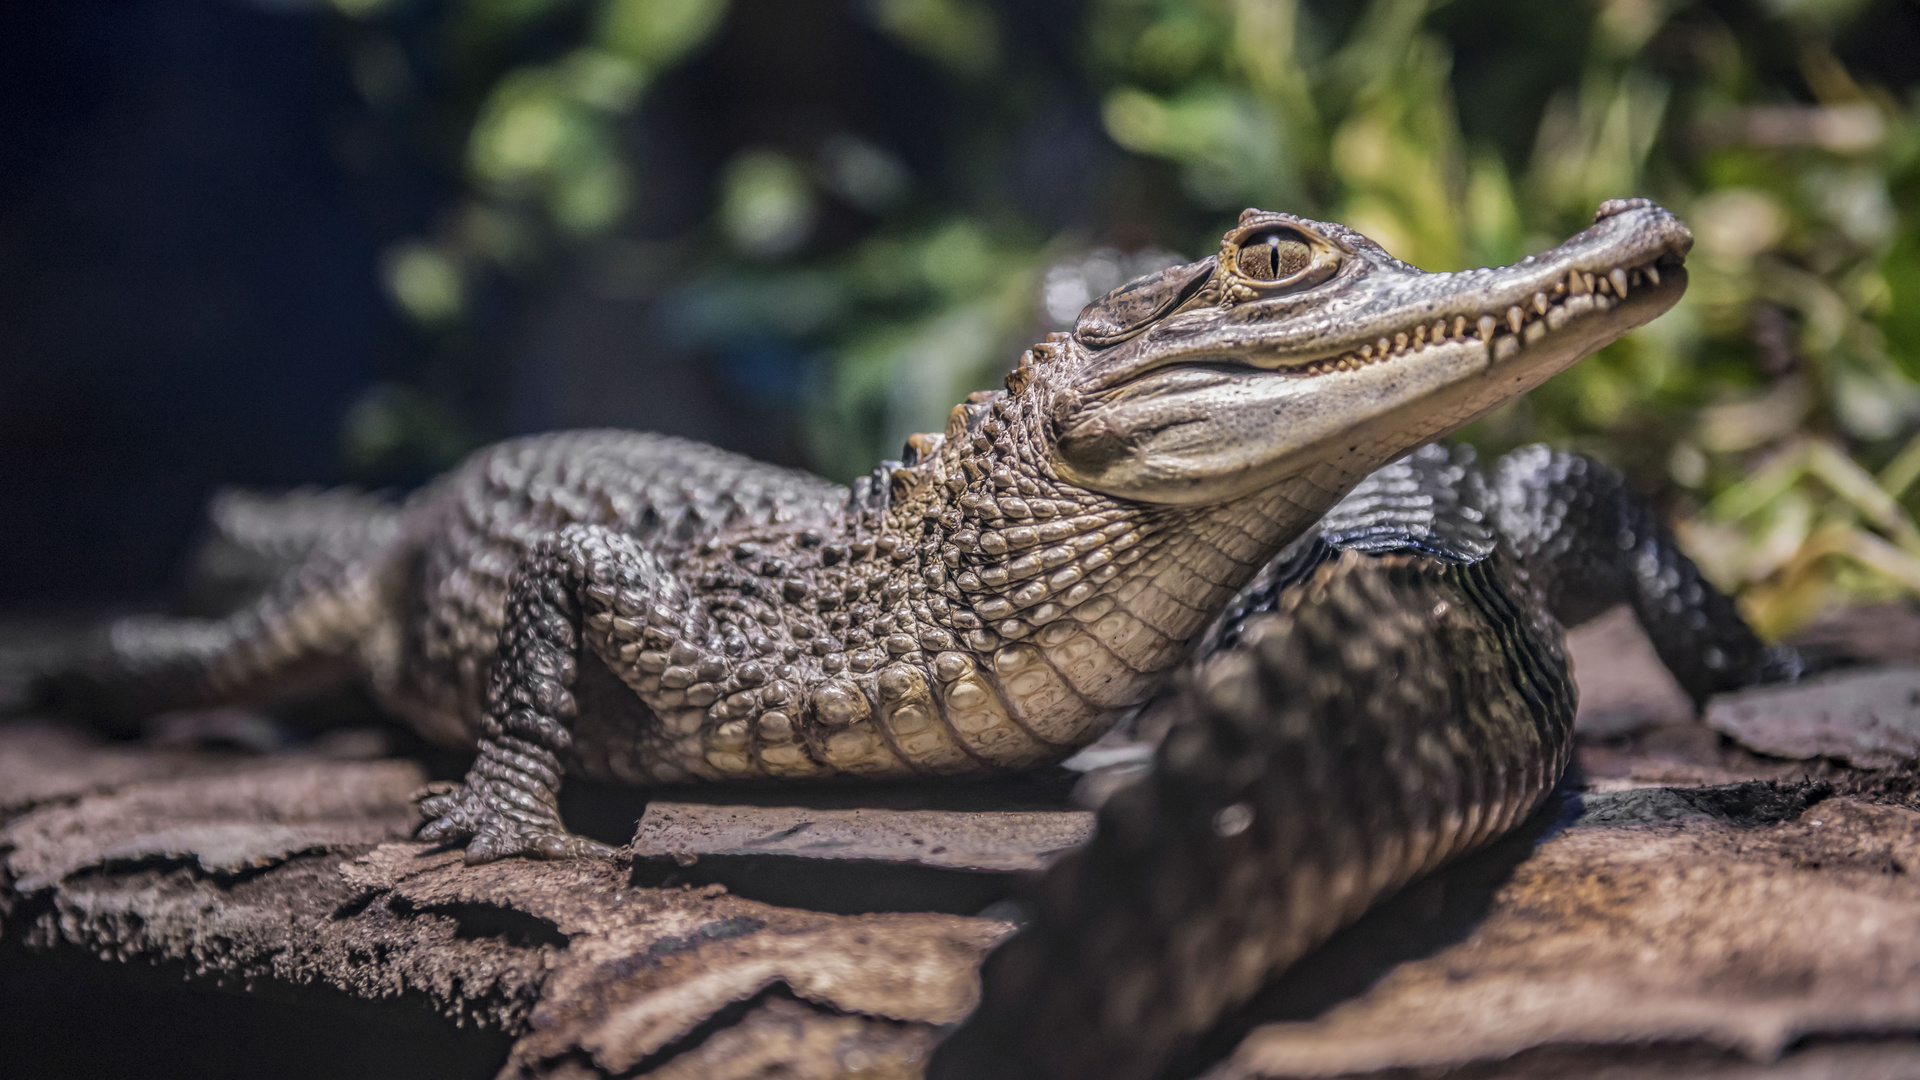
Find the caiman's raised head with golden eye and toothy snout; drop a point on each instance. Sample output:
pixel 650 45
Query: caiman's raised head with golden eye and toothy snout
pixel 1307 351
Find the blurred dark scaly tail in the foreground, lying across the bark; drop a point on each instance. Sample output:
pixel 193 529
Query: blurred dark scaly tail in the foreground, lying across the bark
pixel 1387 716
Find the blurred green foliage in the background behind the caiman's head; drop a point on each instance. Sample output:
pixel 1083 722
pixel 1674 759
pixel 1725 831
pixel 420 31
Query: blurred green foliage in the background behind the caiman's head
pixel 1775 410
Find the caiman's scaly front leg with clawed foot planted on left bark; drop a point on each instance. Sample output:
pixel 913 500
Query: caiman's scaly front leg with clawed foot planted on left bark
pixel 510 802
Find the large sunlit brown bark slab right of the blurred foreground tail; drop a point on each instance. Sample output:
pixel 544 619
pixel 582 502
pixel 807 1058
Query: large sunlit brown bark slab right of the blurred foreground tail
pixel 1727 921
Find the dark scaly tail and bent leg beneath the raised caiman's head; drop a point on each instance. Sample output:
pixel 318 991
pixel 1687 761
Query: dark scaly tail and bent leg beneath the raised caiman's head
pixel 1389 695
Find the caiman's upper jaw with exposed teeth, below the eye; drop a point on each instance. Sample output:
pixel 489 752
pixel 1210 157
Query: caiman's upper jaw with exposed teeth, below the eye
pixel 1378 308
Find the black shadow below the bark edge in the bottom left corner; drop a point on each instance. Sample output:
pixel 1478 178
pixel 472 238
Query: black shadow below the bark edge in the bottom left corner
pixel 85 1019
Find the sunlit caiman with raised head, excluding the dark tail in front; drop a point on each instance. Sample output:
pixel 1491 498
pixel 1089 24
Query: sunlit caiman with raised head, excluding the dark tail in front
pixel 1036 572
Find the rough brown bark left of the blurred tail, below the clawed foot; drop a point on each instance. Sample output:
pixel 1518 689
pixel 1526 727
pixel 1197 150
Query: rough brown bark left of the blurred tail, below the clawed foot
pixel 287 879
